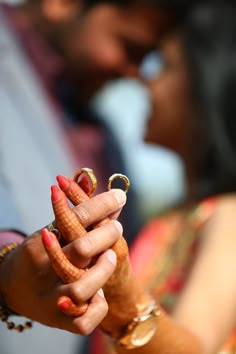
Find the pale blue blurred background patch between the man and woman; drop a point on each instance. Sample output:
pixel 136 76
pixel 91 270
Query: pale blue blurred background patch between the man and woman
pixel 156 173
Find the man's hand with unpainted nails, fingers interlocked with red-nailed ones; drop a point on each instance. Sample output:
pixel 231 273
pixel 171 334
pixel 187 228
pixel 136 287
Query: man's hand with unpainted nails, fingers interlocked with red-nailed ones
pixel 31 287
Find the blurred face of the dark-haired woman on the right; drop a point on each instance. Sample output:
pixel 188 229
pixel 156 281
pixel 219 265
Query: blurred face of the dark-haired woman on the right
pixel 169 122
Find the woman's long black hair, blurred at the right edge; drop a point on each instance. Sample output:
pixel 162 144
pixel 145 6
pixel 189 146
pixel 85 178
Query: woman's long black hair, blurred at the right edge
pixel 210 43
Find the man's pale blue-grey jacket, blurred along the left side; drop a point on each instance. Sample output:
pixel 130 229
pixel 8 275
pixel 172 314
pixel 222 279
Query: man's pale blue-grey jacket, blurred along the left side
pixel 32 153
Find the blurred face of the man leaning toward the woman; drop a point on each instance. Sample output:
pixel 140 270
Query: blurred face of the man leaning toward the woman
pixel 110 42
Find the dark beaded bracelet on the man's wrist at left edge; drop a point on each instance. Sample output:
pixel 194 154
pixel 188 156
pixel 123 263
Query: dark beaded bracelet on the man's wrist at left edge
pixel 4 311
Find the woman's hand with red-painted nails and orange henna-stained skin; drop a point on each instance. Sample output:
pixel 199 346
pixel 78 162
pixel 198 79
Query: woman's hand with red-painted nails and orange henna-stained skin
pixel 125 296
